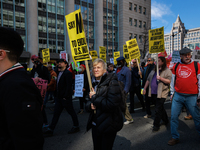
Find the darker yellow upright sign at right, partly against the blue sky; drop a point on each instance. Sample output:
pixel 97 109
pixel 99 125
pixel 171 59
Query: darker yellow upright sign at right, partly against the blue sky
pixel 156 40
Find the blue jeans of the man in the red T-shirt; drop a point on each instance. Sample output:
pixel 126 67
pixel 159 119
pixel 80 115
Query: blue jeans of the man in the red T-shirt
pixel 190 101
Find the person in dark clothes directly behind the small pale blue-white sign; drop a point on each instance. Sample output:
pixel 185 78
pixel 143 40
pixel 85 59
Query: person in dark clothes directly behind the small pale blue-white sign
pixel 82 100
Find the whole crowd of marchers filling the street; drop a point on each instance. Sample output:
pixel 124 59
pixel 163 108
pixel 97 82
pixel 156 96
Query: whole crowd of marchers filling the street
pixel 23 116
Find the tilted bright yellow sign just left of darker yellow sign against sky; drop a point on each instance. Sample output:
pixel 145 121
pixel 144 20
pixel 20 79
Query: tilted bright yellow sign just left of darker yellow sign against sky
pixel 133 49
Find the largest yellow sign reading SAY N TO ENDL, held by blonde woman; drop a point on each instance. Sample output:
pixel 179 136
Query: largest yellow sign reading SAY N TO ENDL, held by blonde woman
pixel 79 48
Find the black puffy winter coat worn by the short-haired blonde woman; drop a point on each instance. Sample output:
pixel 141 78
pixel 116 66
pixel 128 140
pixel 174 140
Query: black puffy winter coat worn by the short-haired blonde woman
pixel 108 117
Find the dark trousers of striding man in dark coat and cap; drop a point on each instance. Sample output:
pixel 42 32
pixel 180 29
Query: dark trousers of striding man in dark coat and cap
pixel 60 104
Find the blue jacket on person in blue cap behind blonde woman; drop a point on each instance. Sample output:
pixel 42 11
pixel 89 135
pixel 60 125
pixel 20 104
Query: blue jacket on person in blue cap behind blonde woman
pixel 125 76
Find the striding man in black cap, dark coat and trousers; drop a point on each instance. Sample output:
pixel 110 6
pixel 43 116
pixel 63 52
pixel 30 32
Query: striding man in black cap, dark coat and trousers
pixel 63 99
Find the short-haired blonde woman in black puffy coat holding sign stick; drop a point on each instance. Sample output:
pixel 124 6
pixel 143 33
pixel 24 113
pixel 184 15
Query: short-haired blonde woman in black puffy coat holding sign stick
pixel 106 117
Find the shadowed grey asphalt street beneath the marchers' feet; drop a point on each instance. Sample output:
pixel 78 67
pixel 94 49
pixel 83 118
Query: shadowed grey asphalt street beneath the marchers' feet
pixel 137 136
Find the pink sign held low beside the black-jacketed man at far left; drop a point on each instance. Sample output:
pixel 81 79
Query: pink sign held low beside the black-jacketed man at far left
pixel 42 86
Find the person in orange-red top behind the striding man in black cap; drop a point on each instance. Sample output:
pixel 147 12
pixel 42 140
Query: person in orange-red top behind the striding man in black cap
pixel 51 87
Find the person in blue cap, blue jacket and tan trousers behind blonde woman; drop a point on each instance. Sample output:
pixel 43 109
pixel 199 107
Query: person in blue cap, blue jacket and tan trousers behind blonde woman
pixel 124 75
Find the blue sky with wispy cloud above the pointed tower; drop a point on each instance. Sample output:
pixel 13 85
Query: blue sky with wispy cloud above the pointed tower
pixel 165 12
